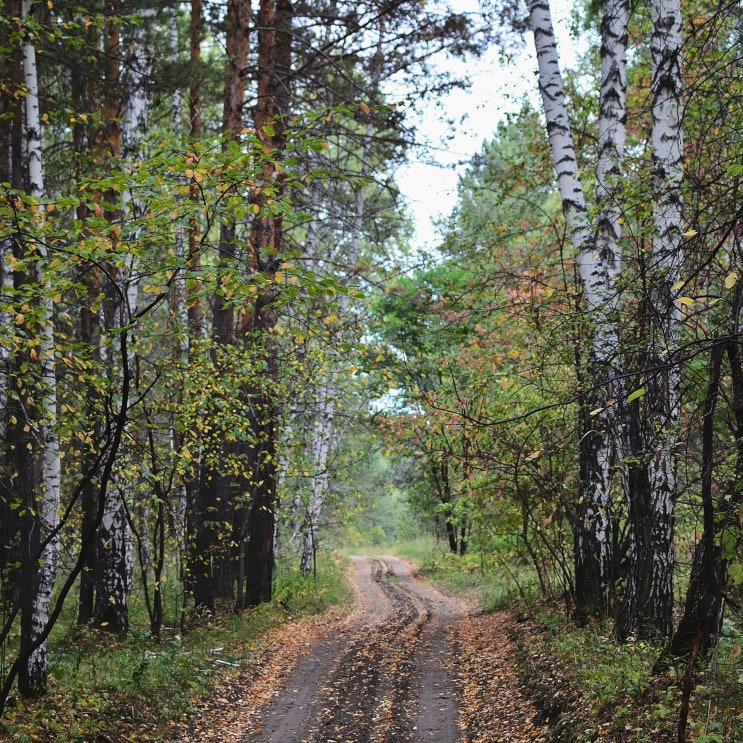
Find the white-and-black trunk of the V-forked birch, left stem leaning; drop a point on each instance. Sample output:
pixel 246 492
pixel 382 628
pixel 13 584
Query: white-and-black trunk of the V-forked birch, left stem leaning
pixel 599 263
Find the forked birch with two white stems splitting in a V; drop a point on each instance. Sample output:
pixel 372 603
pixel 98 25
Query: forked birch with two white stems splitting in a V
pixel 599 264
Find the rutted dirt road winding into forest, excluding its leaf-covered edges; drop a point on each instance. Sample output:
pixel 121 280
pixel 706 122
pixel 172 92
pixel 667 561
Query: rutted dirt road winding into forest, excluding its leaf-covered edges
pixel 383 676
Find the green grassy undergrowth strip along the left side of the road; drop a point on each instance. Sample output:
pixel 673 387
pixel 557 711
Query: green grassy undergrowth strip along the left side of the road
pixel 106 687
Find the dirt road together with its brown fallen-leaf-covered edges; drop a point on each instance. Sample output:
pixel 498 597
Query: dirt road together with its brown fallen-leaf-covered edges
pixel 407 664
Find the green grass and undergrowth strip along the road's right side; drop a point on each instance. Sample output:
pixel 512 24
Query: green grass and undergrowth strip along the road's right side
pixel 587 686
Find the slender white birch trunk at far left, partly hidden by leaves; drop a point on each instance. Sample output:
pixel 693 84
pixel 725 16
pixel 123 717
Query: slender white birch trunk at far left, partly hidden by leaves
pixel 50 460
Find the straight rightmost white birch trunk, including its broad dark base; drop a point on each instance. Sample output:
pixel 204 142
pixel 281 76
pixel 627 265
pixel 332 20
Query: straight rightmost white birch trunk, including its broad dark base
pixel 648 604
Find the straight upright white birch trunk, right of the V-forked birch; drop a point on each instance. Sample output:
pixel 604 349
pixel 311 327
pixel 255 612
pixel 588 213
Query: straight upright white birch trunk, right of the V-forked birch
pixel 662 398
